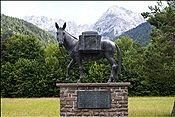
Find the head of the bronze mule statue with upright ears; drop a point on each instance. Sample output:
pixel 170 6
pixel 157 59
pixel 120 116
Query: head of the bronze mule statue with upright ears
pixel 60 33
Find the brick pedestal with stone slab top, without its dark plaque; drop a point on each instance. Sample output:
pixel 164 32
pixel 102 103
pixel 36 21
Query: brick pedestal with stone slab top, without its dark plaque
pixel 119 99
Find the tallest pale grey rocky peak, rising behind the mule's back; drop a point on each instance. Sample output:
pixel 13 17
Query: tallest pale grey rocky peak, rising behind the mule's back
pixel 117 20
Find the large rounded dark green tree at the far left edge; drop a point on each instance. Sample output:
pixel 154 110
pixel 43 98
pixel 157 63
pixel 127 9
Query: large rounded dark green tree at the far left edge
pixel 22 58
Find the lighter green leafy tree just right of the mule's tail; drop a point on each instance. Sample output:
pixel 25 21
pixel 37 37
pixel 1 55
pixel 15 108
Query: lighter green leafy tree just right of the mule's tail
pixel 131 62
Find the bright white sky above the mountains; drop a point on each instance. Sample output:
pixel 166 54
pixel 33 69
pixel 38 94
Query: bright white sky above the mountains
pixel 82 12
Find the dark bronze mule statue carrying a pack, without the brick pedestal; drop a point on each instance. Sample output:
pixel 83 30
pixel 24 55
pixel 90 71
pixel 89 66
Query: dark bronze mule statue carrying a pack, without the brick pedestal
pixel 89 47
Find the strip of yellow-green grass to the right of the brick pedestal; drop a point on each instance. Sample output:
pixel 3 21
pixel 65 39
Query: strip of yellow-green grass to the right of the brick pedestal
pixel 150 106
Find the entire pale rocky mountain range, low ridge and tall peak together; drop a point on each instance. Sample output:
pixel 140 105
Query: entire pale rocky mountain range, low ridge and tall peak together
pixel 113 22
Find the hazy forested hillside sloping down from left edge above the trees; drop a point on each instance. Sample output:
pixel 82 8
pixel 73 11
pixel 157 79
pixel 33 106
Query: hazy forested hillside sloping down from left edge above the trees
pixel 11 26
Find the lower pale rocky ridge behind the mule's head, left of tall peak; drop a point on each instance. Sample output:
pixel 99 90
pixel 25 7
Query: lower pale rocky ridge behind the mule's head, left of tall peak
pixel 48 24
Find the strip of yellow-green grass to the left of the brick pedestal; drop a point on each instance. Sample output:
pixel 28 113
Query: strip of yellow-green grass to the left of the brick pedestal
pixel 30 107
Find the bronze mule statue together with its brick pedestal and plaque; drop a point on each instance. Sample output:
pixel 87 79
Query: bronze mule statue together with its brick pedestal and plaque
pixel 92 99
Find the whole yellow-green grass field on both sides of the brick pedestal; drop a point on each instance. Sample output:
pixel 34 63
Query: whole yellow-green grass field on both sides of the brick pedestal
pixel 50 107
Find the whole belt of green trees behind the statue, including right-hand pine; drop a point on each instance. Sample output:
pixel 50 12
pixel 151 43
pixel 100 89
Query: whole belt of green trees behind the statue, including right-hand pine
pixel 30 69
